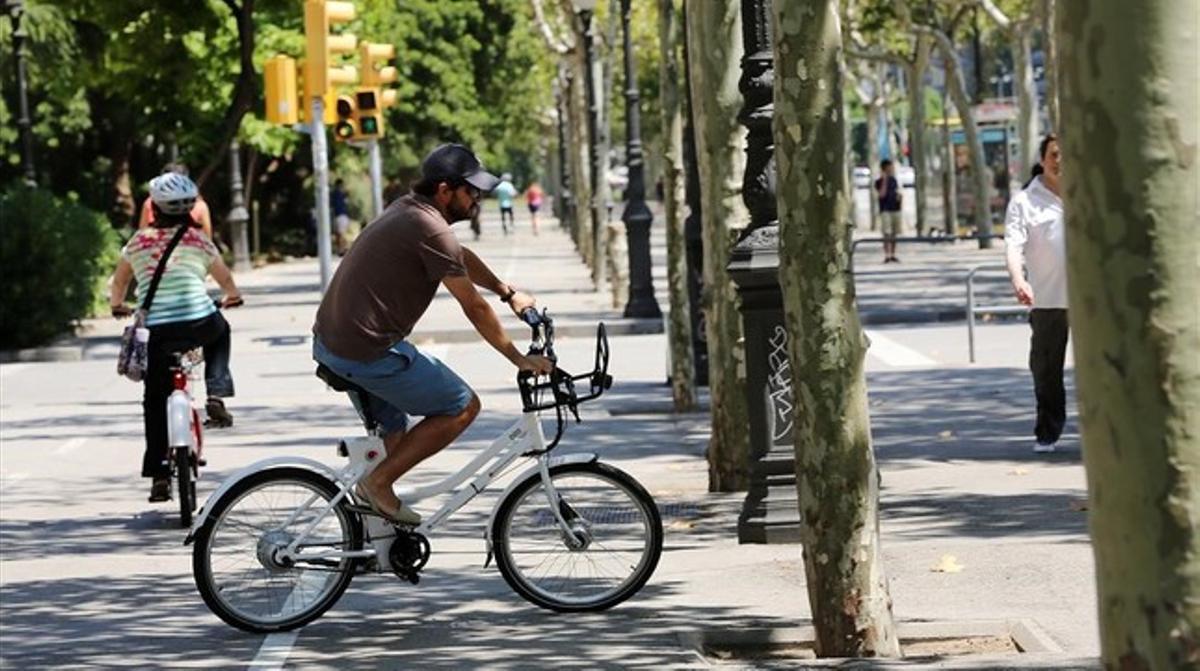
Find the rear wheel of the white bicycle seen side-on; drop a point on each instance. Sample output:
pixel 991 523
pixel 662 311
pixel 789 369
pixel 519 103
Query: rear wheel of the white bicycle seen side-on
pixel 259 582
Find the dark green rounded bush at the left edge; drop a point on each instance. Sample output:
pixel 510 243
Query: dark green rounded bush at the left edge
pixel 56 255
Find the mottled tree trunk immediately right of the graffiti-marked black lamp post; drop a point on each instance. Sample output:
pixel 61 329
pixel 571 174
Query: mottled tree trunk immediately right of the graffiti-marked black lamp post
pixel 837 477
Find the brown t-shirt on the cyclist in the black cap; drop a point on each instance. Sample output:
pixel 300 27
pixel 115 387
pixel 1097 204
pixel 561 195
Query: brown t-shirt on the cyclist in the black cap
pixel 388 280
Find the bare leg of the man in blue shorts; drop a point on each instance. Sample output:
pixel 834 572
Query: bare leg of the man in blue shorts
pixel 406 450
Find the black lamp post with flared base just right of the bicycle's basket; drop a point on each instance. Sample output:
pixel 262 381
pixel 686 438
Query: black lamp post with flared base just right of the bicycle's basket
pixel 638 217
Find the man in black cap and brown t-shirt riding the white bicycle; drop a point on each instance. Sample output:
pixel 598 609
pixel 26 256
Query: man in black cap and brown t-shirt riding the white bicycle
pixel 383 287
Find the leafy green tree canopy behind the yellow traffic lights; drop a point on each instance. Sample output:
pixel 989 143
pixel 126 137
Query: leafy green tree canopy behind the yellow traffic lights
pixel 118 88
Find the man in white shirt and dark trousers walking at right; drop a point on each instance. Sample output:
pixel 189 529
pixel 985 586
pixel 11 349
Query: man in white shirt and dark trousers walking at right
pixel 1034 239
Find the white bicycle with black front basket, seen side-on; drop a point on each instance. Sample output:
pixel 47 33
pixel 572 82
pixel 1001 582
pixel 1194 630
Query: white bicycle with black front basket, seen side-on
pixel 279 543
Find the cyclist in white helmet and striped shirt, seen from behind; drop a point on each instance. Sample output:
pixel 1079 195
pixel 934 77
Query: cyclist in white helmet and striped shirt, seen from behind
pixel 182 316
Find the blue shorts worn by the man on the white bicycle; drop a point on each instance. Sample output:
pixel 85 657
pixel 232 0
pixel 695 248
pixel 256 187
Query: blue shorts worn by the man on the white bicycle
pixel 403 382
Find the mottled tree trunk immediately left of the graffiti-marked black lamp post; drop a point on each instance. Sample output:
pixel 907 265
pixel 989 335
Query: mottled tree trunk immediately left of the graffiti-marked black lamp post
pixel 715 53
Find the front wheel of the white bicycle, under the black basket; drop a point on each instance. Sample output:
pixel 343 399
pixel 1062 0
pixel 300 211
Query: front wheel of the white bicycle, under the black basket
pixel 613 508
